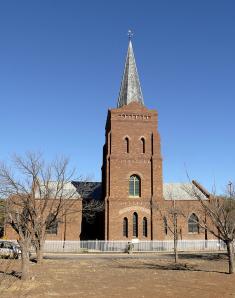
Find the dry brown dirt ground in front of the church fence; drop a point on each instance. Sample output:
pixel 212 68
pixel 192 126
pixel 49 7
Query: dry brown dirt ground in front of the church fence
pixel 195 276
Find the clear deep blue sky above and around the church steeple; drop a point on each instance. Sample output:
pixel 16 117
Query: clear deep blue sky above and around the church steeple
pixel 61 64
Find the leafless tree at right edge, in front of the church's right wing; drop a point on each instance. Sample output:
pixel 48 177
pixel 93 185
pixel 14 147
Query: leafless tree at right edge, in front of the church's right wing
pixel 219 217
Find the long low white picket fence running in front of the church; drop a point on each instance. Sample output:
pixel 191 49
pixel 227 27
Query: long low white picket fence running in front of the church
pixel 141 246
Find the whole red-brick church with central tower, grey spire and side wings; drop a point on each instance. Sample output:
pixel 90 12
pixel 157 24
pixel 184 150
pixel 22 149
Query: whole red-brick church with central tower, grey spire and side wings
pixel 135 198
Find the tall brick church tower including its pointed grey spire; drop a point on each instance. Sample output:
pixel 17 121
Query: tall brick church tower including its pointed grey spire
pixel 132 163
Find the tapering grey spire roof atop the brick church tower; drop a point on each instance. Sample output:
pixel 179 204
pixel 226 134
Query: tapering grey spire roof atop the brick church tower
pixel 130 87
